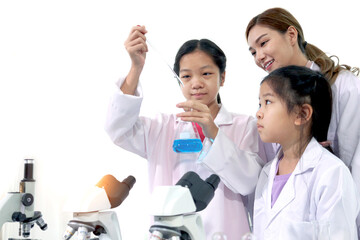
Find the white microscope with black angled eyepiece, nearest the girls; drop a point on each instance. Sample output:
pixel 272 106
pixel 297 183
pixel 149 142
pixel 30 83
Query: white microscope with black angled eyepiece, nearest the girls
pixel 174 208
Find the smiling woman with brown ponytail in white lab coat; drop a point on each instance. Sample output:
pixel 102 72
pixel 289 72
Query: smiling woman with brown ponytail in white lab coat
pixel 276 39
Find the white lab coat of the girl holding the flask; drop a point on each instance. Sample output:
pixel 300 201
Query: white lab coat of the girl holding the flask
pixel 233 156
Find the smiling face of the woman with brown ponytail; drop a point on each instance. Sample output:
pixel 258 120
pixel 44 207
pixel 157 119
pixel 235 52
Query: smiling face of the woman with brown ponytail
pixel 270 48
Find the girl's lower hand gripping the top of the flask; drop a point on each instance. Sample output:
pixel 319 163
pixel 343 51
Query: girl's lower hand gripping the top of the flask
pixel 199 113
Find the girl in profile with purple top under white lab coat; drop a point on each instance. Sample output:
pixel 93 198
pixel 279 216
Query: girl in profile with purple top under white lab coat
pixel 306 192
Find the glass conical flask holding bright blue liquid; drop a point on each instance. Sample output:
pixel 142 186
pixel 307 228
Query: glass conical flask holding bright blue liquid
pixel 187 139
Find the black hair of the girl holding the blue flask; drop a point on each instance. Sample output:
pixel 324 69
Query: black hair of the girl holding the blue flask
pixel 204 45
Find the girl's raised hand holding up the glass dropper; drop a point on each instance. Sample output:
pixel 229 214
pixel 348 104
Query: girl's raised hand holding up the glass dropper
pixel 136 46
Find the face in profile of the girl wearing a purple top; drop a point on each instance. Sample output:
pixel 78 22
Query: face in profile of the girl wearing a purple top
pixel 275 124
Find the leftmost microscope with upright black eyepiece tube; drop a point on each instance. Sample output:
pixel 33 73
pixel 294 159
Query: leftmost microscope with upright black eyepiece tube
pixel 19 206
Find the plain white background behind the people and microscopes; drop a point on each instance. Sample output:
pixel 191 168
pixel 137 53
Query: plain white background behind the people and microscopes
pixel 59 61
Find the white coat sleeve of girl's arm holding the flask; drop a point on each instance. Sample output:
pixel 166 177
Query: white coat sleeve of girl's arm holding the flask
pixel 238 169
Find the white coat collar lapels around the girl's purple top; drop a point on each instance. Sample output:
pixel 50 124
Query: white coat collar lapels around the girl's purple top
pixel 308 161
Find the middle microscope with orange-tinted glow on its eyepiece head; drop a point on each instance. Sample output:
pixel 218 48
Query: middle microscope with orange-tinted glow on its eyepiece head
pixel 88 216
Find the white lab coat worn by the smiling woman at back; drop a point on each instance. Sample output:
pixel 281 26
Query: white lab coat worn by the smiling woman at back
pixel 344 129
